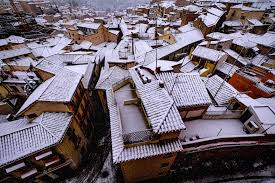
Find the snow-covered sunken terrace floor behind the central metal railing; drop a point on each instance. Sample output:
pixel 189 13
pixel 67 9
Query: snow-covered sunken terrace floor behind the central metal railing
pixel 132 118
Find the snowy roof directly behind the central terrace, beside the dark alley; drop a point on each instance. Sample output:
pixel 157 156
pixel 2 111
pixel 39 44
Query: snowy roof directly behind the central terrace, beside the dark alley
pixel 110 77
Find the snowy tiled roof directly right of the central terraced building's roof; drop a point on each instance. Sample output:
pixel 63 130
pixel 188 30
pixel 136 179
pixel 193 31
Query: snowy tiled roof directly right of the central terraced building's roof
pixel 187 90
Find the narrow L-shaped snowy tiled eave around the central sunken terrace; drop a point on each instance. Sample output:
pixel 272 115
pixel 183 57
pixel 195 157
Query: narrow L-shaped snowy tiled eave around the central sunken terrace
pixel 122 153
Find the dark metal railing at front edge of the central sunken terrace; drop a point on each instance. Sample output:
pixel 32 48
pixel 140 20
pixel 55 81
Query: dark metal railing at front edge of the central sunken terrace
pixel 139 137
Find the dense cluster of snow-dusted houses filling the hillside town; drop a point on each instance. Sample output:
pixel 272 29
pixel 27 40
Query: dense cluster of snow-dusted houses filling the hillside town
pixel 173 78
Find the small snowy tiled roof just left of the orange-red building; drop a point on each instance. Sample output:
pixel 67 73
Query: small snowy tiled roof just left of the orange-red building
pixel 220 90
